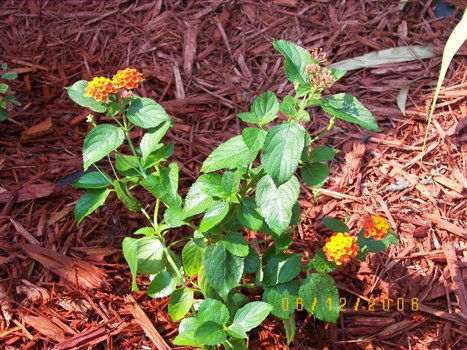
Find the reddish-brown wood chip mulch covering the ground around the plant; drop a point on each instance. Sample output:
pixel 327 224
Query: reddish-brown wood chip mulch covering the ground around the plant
pixel 205 62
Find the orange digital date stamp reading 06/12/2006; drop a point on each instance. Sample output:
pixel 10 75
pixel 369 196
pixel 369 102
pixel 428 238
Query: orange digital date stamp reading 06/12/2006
pixel 372 304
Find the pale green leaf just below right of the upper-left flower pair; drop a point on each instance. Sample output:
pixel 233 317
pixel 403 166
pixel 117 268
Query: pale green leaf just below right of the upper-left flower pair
pixel 146 113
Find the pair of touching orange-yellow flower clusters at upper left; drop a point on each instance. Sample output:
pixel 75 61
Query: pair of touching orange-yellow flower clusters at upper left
pixel 100 87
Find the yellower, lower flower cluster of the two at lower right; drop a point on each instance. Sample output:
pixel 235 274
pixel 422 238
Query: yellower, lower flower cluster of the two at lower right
pixel 341 247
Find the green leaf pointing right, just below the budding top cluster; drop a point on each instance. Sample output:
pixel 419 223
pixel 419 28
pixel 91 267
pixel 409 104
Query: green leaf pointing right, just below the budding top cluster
pixel 348 108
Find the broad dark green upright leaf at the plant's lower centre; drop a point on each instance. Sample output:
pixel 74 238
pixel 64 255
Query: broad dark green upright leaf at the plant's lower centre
pixel 223 269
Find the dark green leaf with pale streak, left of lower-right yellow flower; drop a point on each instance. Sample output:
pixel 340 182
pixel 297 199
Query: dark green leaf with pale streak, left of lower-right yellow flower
pixel 282 268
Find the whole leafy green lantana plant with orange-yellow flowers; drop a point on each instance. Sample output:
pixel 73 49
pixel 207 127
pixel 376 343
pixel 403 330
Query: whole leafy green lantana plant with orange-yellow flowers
pixel 248 187
